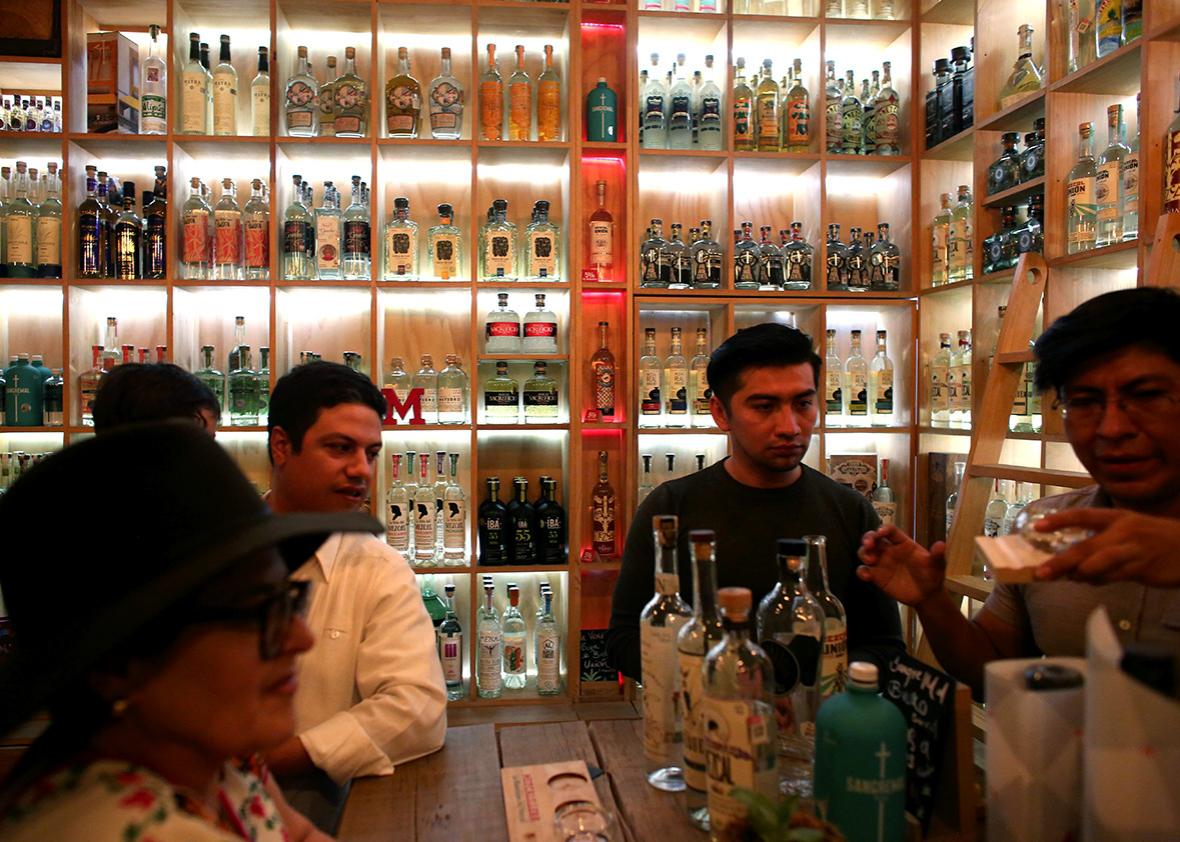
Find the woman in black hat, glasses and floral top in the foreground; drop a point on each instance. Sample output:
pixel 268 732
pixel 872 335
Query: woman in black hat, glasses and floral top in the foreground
pixel 162 639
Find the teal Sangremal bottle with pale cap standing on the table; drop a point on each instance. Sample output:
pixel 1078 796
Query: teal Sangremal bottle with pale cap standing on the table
pixel 861 741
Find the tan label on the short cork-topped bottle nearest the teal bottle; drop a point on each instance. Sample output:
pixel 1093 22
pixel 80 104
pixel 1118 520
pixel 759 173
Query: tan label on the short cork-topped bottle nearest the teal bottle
pixel 740 751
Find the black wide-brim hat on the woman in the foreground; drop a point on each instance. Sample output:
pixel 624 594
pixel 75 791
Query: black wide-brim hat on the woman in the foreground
pixel 112 534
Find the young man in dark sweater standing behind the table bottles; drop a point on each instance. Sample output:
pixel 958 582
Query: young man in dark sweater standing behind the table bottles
pixel 765 397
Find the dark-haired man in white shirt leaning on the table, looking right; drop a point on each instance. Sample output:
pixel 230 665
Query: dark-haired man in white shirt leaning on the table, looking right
pixel 371 692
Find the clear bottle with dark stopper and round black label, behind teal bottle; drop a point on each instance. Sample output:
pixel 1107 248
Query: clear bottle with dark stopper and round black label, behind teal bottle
pixel 791 631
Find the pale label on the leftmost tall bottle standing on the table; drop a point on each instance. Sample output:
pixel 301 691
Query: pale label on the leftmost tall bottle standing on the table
pixel 663 733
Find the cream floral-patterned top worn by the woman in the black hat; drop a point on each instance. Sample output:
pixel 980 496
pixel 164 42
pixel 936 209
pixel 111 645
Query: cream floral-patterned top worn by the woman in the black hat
pixel 114 801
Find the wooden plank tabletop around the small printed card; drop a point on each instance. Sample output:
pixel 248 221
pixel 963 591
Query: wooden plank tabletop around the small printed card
pixel 455 794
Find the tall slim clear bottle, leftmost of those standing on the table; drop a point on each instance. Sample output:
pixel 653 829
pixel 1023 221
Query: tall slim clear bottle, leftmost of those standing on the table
pixel 661 621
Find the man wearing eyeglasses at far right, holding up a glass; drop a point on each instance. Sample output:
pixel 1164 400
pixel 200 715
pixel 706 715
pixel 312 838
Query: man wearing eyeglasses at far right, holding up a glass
pixel 1115 364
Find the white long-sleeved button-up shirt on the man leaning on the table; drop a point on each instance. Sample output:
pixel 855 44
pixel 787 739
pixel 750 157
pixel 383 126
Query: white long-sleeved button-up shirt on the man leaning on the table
pixel 371 690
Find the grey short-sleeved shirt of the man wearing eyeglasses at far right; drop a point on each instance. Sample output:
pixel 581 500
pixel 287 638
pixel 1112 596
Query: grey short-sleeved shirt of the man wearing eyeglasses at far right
pixel 1053 614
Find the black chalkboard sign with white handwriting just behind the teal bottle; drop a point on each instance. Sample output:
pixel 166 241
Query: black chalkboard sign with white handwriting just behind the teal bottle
pixel 927 700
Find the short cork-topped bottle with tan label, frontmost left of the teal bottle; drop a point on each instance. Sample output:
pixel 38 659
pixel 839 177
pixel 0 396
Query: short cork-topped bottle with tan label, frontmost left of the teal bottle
pixel 739 721
